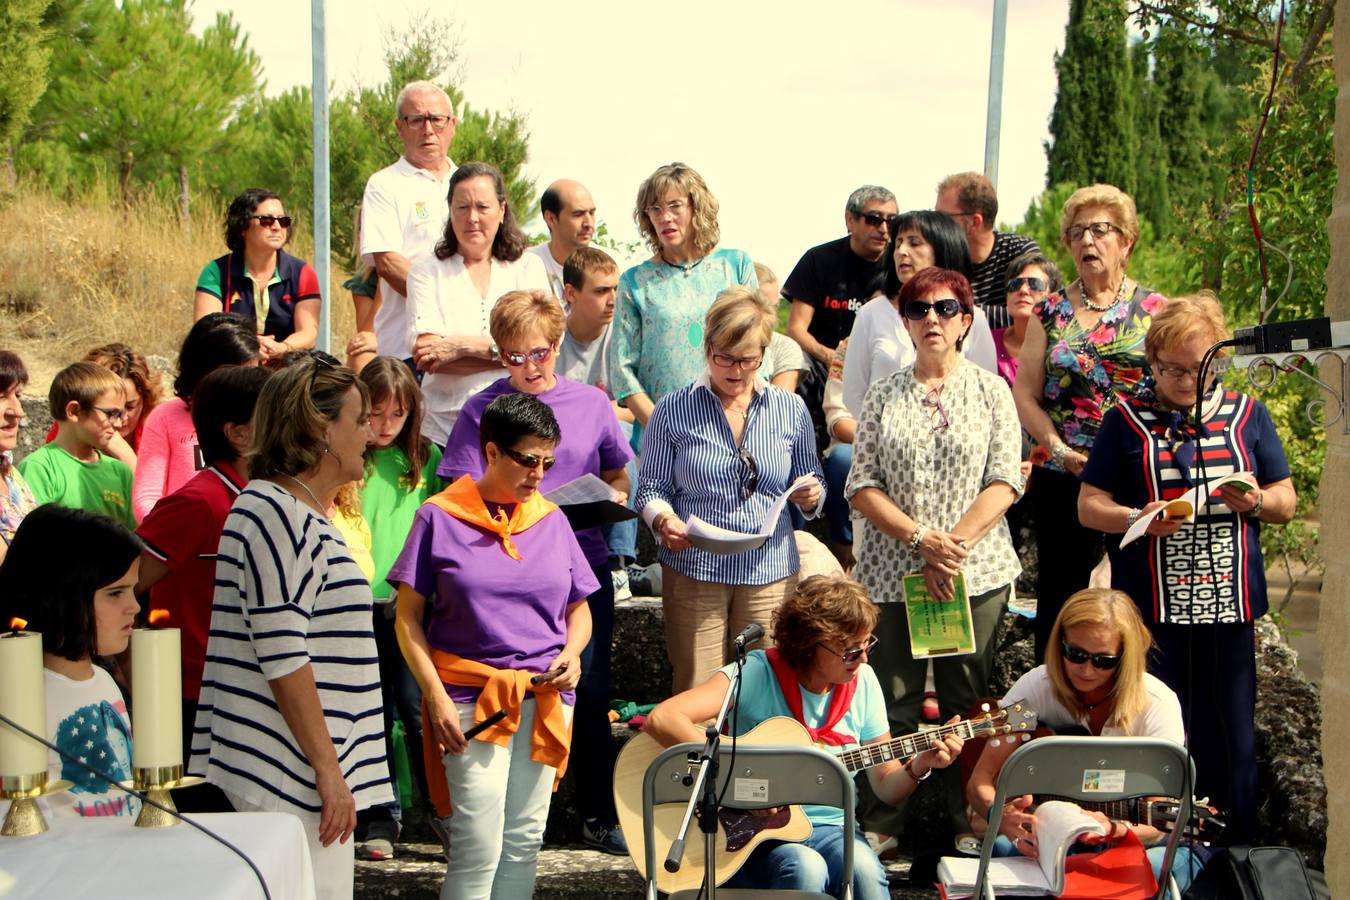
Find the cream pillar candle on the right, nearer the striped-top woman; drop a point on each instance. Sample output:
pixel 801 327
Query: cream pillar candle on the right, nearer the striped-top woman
pixel 156 698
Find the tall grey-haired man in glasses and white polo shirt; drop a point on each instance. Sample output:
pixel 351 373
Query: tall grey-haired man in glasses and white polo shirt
pixel 406 207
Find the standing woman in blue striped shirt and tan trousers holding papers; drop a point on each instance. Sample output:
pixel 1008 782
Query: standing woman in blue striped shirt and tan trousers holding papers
pixel 724 449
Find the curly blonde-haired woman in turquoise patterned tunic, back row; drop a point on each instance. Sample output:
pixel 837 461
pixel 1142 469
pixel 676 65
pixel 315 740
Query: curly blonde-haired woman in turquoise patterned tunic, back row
pixel 658 338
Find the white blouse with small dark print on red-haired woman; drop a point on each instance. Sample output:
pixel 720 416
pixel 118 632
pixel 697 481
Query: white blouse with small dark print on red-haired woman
pixel 935 472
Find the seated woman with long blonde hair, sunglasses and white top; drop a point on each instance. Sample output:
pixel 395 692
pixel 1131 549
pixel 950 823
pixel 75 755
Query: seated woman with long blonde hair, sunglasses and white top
pixel 1094 681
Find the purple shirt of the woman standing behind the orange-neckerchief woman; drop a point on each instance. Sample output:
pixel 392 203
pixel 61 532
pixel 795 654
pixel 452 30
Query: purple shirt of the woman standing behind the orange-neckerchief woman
pixel 592 443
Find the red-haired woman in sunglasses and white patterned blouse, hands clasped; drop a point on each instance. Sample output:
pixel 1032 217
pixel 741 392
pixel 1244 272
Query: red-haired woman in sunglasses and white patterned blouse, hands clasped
pixel 936 465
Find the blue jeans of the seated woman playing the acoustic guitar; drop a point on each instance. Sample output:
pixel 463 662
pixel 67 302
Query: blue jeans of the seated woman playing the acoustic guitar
pixel 816 864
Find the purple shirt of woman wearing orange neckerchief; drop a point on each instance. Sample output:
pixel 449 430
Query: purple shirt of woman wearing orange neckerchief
pixel 489 608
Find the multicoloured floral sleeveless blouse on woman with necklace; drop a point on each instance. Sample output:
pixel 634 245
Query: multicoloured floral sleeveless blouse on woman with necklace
pixel 1090 372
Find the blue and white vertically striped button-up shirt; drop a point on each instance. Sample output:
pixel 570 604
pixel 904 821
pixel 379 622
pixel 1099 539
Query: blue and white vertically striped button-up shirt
pixel 692 466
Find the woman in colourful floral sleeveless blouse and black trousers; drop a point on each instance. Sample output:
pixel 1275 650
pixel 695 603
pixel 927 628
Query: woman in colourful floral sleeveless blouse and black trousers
pixel 1083 353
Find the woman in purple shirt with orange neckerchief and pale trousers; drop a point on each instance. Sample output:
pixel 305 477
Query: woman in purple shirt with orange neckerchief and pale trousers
pixel 506 634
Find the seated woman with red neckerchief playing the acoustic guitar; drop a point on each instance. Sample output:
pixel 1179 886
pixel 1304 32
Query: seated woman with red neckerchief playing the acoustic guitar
pixel 819 675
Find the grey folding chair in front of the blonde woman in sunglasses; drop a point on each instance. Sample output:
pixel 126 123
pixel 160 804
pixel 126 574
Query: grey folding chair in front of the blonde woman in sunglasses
pixel 1059 766
